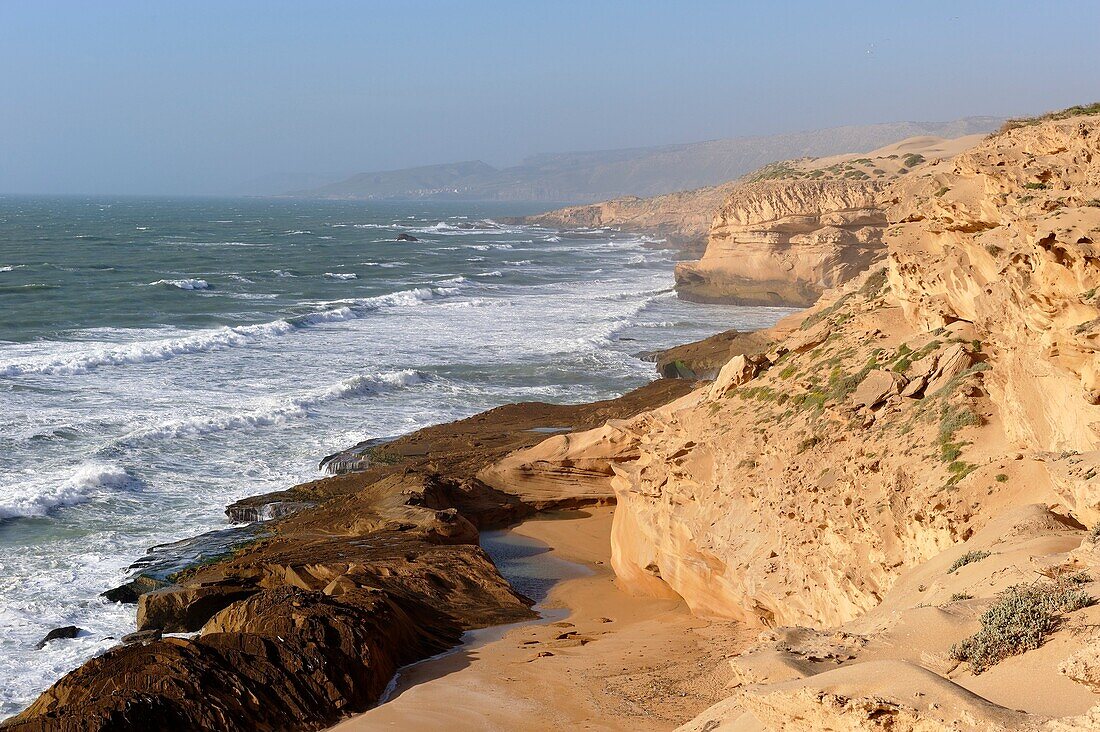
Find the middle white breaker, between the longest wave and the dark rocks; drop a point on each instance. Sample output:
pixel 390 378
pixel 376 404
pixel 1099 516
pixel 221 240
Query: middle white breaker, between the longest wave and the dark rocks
pixel 281 412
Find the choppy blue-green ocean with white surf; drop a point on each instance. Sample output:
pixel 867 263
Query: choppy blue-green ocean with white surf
pixel 162 358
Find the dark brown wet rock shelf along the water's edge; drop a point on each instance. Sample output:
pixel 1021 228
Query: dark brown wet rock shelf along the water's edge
pixel 303 617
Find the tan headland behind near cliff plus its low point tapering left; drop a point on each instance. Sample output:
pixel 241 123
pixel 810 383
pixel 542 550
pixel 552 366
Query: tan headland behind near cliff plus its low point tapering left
pixel 779 236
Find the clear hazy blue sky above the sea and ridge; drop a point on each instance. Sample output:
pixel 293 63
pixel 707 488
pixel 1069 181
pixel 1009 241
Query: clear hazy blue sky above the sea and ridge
pixel 201 97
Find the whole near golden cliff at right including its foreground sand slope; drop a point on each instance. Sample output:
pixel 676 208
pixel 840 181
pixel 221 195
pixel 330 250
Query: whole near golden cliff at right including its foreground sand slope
pixel 903 468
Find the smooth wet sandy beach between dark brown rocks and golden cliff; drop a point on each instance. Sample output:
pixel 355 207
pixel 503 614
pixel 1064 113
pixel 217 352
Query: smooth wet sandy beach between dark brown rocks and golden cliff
pixel 614 663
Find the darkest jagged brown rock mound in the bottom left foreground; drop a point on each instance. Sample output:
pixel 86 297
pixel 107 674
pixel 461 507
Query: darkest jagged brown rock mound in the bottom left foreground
pixel 285 655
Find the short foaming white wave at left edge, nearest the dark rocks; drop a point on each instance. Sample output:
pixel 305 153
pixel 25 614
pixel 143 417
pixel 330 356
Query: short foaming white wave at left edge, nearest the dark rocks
pixel 85 484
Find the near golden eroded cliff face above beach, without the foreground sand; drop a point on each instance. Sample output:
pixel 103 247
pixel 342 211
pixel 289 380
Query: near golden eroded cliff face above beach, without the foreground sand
pixel 868 441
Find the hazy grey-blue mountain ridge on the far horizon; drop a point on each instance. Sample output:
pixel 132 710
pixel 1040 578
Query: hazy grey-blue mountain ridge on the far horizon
pixel 599 176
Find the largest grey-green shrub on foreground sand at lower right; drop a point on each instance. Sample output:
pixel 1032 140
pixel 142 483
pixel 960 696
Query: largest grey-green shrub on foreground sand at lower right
pixel 1020 621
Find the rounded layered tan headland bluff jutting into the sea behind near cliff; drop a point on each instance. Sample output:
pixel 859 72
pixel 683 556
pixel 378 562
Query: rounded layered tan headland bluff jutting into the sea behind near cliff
pixel 794 230
